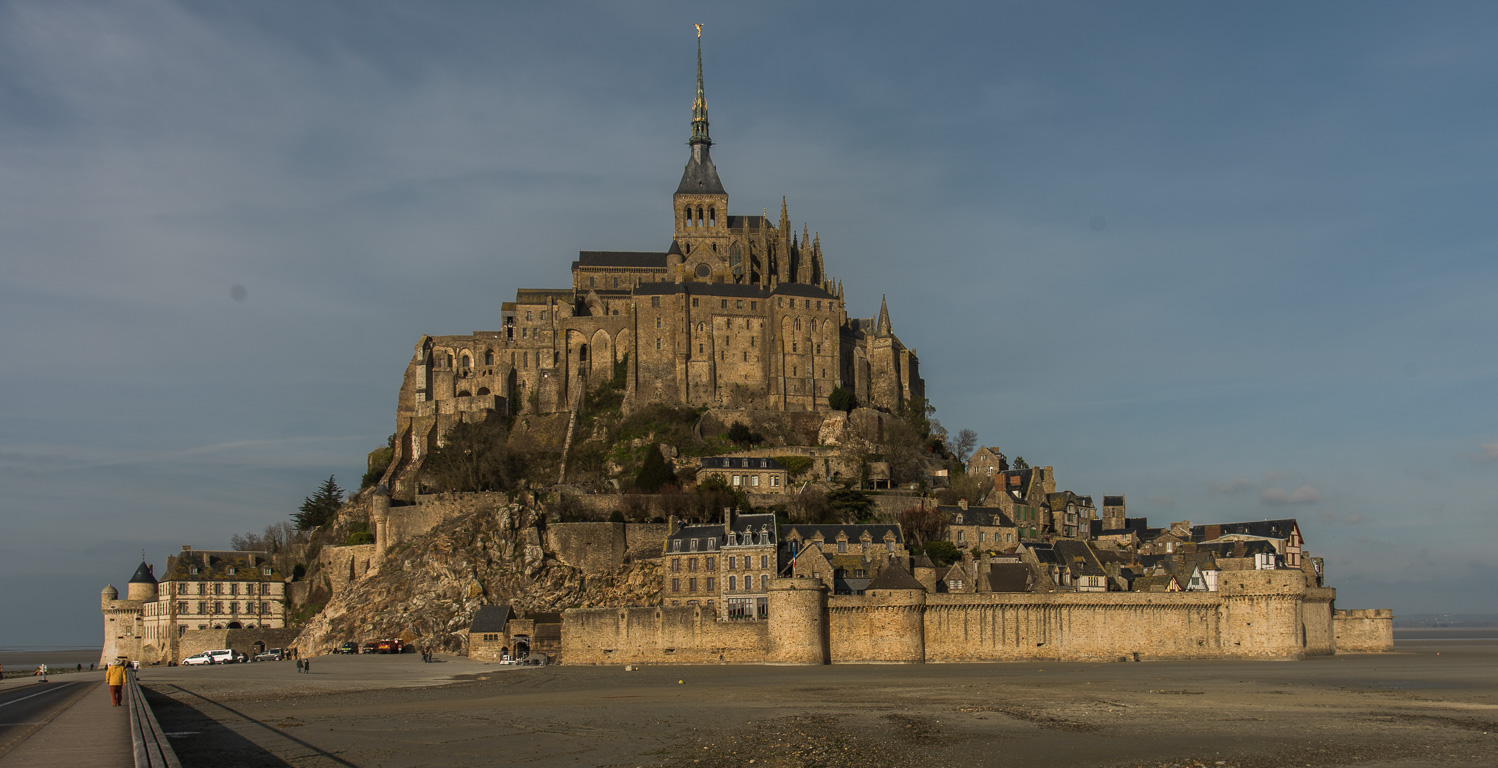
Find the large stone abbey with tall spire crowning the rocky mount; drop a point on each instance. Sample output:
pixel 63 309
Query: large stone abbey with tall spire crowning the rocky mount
pixel 736 312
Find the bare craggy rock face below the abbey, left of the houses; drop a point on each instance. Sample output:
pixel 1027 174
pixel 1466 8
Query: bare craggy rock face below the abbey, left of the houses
pixel 428 591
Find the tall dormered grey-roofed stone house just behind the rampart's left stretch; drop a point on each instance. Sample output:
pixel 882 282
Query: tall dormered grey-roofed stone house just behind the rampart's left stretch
pixel 726 568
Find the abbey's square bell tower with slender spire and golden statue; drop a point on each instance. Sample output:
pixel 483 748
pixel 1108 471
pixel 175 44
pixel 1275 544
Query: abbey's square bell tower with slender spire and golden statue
pixel 702 204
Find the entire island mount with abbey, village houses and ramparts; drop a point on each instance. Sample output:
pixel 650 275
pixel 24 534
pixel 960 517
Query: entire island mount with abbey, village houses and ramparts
pixel 697 456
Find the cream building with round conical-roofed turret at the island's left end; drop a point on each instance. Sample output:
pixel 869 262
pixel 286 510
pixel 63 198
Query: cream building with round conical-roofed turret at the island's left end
pixel 201 591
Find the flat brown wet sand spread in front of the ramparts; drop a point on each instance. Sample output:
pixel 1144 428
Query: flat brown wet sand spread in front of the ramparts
pixel 1433 703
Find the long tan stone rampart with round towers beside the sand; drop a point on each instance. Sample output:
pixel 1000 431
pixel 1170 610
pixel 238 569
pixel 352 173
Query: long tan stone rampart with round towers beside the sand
pixel 1256 615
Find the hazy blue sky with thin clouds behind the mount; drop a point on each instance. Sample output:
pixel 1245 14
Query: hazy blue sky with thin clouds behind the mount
pixel 1232 261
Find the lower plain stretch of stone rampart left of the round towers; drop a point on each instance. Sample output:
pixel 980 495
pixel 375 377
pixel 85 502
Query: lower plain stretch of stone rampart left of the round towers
pixel 688 636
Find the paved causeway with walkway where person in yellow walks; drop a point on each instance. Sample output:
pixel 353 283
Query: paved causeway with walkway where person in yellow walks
pixel 70 727
